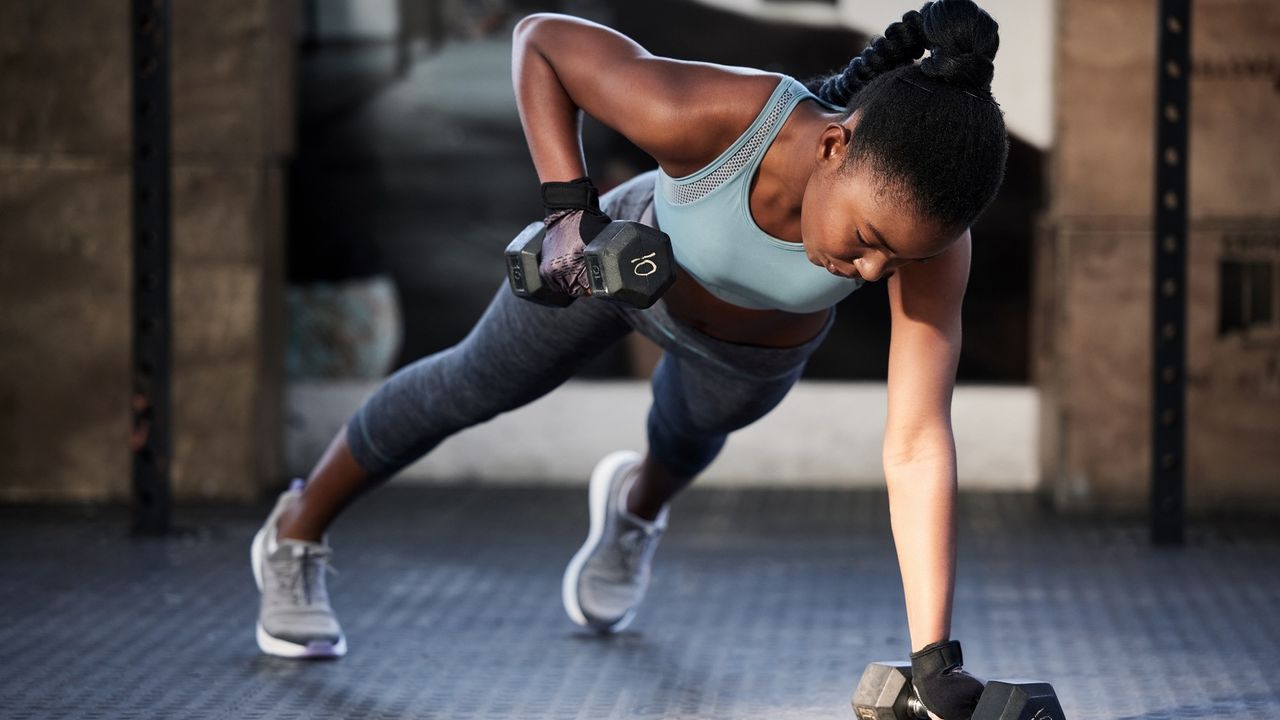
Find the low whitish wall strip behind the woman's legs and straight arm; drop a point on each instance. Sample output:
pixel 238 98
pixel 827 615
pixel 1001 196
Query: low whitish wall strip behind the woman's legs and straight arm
pixel 797 445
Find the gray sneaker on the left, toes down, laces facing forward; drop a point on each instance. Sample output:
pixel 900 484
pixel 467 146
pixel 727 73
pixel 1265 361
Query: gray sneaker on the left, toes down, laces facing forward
pixel 295 619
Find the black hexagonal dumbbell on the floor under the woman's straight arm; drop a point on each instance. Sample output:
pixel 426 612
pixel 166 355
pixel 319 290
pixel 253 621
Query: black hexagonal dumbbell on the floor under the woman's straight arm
pixel 885 694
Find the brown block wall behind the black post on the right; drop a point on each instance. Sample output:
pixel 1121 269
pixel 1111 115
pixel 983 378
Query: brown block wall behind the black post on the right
pixel 1094 276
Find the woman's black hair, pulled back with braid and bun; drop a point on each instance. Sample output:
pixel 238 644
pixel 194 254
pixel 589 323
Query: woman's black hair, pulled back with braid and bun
pixel 930 133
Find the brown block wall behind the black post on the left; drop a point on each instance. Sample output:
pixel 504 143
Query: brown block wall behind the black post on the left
pixel 67 256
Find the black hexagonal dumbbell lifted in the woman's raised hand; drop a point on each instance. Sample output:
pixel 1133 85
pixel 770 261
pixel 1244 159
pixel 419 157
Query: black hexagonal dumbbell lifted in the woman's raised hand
pixel 627 263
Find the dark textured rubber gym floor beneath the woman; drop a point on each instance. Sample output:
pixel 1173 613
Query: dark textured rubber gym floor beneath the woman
pixel 765 605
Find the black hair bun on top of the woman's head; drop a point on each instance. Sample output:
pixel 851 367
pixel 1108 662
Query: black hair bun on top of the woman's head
pixel 963 40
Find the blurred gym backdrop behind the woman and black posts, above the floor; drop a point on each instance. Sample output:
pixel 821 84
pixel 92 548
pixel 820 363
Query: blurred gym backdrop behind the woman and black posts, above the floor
pixel 349 172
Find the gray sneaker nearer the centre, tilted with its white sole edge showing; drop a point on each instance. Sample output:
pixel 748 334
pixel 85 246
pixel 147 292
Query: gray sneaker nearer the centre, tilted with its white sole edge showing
pixel 607 580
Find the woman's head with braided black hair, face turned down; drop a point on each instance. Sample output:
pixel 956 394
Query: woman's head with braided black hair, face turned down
pixel 924 145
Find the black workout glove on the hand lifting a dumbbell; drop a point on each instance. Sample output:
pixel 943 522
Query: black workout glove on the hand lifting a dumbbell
pixel 574 220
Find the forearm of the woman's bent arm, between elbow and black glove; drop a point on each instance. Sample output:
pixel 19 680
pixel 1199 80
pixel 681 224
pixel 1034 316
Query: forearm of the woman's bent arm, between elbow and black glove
pixel 550 117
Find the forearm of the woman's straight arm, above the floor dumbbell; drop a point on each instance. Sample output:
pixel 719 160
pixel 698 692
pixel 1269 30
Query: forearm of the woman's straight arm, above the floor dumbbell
pixel 922 509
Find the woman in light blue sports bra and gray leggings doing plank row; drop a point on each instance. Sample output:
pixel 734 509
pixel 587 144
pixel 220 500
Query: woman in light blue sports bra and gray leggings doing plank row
pixel 780 200
